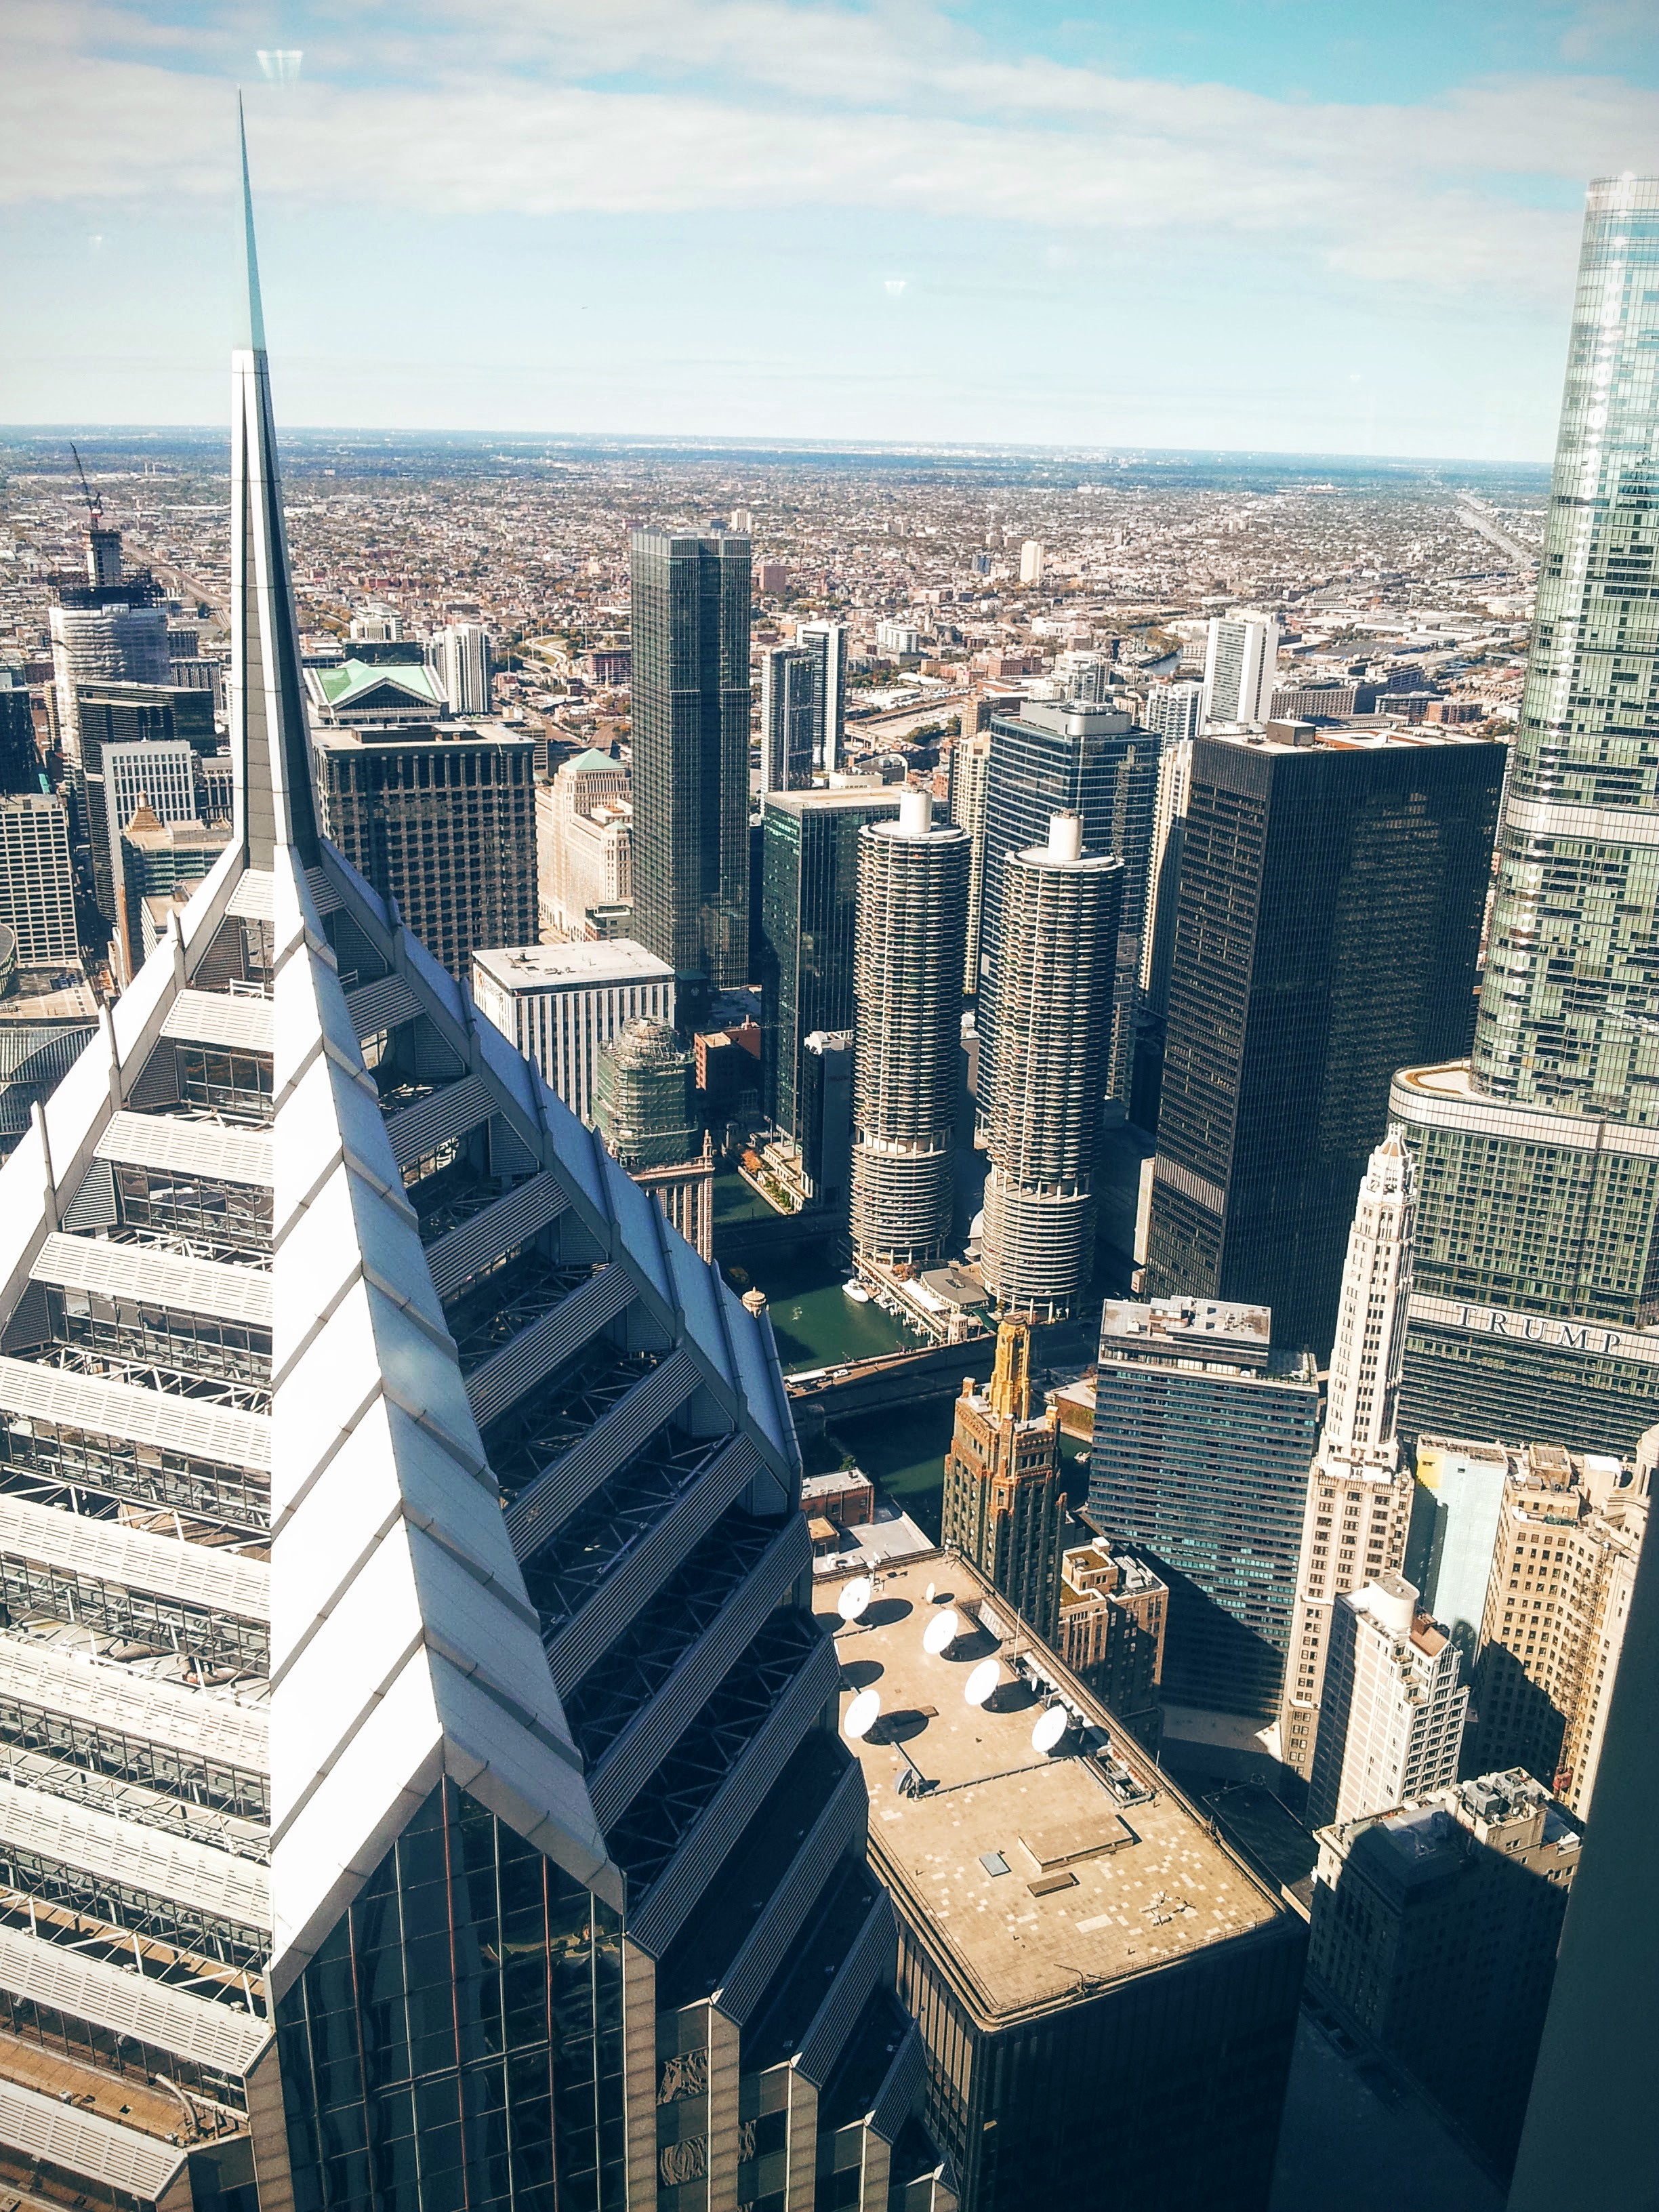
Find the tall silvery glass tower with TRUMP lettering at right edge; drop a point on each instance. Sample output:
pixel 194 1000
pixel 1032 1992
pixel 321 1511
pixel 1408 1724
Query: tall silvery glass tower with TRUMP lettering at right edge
pixel 1536 1308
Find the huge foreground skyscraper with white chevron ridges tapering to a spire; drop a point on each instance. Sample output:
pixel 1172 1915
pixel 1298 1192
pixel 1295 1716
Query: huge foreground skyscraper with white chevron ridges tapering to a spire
pixel 417 1786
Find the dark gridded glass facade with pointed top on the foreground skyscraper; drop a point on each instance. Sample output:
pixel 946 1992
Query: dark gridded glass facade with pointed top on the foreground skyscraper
pixel 457 2043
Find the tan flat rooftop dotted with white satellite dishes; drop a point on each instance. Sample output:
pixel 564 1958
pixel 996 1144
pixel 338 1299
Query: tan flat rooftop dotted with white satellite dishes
pixel 1109 1870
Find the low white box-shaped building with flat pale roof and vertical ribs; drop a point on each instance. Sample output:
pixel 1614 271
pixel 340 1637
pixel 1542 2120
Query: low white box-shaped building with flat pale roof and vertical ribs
pixel 561 1005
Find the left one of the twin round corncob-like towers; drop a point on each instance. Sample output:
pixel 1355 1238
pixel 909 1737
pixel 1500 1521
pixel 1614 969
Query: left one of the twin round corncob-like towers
pixel 908 1025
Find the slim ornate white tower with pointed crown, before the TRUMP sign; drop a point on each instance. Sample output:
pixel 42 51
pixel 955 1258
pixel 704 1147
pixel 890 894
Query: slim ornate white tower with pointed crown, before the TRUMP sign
pixel 1359 1494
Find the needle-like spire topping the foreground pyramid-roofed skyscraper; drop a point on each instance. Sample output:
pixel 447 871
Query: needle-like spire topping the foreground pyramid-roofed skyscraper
pixel 269 731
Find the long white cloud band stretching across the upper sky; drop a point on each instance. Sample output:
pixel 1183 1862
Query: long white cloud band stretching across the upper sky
pixel 552 107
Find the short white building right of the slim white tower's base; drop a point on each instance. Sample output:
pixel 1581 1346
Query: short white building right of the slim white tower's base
pixel 1395 1707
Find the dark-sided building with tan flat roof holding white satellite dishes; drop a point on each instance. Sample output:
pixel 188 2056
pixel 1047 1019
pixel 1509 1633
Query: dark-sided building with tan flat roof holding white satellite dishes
pixel 1107 1994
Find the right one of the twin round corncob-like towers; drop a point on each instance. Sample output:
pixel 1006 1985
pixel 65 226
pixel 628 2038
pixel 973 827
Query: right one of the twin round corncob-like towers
pixel 1054 1021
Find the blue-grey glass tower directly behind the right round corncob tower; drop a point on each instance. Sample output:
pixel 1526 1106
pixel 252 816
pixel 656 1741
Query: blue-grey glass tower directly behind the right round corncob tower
pixel 1096 764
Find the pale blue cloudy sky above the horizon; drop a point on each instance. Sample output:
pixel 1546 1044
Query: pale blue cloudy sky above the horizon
pixel 1202 225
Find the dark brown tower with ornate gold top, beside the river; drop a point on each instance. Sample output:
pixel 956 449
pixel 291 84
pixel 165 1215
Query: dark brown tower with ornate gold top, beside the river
pixel 1003 1503
